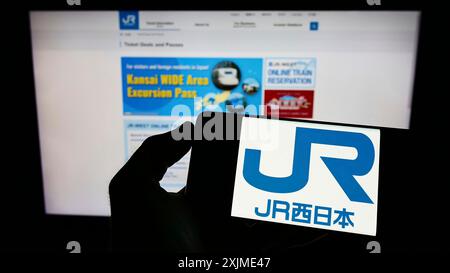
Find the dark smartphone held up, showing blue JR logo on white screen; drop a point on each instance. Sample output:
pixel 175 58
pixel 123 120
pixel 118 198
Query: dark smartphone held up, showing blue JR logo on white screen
pixel 217 180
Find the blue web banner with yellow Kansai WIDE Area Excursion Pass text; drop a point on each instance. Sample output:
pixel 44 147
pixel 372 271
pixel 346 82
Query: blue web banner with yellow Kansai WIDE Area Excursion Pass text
pixel 154 86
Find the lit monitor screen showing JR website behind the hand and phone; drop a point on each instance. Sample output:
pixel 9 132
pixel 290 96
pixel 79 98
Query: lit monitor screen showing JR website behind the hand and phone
pixel 106 80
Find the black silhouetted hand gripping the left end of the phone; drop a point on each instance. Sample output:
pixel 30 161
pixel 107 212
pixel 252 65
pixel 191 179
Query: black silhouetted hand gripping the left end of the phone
pixel 144 216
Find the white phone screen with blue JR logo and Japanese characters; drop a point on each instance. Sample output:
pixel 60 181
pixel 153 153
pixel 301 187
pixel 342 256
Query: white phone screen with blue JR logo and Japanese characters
pixel 316 175
